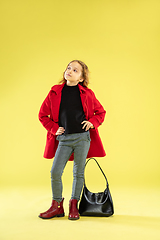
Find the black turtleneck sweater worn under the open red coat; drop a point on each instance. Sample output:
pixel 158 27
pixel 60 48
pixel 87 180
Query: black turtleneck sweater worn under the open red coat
pixel 71 112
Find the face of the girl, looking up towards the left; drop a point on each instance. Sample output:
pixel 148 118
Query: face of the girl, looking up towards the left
pixel 73 74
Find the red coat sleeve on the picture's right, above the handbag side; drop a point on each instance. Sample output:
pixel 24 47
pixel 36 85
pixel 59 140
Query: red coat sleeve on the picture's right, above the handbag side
pixel 99 112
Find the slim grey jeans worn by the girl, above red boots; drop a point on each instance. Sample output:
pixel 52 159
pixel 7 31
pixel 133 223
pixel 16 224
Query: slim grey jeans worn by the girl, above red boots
pixel 78 143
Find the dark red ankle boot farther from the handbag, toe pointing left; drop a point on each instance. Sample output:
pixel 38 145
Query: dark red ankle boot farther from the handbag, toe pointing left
pixel 56 210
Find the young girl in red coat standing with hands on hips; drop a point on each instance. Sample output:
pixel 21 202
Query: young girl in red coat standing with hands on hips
pixel 71 114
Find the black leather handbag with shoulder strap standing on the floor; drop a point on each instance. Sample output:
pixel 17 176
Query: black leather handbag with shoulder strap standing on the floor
pixel 96 204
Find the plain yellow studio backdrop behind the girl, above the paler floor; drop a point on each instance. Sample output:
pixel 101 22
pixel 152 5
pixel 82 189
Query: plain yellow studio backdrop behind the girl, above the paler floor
pixel 119 41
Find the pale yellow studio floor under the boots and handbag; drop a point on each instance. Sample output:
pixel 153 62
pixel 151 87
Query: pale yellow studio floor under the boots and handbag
pixel 137 216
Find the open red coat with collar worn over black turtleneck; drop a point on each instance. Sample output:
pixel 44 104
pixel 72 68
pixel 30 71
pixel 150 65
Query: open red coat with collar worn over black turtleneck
pixel 49 113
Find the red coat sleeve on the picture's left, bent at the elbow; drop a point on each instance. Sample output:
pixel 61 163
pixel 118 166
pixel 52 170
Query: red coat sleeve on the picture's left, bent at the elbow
pixel 45 116
